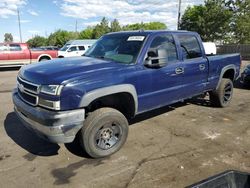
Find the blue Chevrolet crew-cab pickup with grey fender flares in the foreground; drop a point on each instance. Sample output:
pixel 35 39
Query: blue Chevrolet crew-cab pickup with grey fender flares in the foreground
pixel 123 74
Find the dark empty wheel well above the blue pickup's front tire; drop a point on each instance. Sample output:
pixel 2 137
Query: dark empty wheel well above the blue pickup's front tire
pixel 122 102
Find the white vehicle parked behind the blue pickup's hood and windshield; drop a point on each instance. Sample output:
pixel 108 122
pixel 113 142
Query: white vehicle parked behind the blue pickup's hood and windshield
pixel 75 48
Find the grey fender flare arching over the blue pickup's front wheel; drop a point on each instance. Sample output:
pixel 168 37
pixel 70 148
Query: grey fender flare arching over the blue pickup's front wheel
pixel 102 92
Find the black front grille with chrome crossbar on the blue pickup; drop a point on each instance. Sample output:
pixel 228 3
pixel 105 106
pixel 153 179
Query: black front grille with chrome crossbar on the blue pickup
pixel 28 91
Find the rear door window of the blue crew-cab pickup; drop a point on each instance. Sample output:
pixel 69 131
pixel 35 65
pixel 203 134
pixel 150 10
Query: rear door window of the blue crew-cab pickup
pixel 190 46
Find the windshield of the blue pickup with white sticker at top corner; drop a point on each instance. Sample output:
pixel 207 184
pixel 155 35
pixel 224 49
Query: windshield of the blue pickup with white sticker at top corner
pixel 122 48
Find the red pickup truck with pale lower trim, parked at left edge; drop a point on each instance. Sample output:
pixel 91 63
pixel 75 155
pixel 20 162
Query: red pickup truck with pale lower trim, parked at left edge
pixel 17 54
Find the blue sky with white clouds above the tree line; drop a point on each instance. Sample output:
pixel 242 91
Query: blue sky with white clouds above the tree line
pixel 41 17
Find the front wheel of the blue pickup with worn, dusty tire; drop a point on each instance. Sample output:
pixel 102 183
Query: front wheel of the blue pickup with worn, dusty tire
pixel 104 132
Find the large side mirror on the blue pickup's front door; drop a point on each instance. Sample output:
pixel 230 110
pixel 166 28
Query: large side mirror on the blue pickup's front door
pixel 158 59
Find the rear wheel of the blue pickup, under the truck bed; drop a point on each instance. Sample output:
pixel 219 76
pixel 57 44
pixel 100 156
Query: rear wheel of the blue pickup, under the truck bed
pixel 223 95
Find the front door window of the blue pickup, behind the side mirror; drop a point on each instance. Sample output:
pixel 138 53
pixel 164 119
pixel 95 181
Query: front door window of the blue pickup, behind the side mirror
pixel 164 43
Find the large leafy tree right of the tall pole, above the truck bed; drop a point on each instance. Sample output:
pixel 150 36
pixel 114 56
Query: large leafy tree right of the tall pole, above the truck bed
pixel 211 20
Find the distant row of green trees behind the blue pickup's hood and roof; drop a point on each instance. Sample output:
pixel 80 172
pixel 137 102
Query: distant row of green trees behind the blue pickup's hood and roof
pixel 60 37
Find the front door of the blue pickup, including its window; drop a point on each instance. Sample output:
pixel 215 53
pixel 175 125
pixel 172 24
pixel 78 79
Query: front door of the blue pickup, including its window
pixel 160 86
